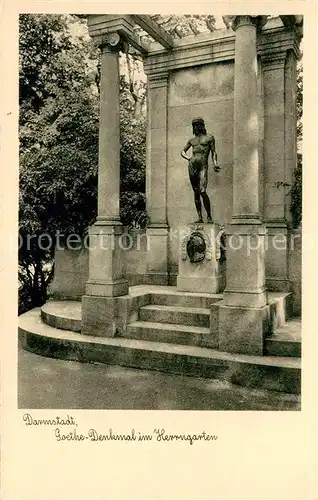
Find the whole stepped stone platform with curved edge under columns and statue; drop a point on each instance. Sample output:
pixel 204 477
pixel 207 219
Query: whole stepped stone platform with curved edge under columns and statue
pixel 171 346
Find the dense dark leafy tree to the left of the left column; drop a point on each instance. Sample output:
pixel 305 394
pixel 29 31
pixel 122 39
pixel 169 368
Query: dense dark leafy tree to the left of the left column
pixel 58 145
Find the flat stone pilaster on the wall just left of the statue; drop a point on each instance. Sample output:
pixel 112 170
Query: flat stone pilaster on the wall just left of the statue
pixel 156 179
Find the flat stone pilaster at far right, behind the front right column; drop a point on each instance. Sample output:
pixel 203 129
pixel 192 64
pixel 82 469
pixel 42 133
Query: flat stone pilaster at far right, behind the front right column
pixel 275 215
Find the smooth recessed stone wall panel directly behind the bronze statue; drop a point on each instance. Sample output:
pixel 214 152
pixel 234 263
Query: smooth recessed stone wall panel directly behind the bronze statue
pixel 206 91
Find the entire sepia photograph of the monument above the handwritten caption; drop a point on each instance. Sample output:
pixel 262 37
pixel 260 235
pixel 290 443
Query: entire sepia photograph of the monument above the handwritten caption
pixel 160 212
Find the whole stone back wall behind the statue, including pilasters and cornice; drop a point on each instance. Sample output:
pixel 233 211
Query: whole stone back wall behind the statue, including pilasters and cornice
pixel 197 79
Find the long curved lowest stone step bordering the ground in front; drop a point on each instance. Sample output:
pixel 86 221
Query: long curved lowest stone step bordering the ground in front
pixel 267 372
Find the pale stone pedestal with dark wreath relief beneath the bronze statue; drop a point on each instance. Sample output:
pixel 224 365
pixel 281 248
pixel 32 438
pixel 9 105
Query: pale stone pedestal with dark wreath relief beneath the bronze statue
pixel 203 276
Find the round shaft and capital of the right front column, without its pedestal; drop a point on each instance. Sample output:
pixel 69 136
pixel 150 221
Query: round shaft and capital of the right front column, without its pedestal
pixel 246 129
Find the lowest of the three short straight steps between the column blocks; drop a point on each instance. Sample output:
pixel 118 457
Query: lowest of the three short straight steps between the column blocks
pixel 169 332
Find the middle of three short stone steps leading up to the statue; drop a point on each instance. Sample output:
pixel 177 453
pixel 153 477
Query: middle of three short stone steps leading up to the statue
pixel 192 316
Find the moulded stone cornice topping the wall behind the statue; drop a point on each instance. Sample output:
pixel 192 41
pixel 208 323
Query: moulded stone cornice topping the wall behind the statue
pixel 218 48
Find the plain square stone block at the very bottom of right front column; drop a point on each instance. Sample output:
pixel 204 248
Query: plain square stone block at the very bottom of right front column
pixel 242 330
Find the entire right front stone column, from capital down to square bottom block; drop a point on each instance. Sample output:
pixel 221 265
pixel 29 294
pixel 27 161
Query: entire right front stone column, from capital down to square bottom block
pixel 242 316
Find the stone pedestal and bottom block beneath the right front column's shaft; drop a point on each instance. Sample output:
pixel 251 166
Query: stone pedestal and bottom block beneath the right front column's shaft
pixel 243 315
